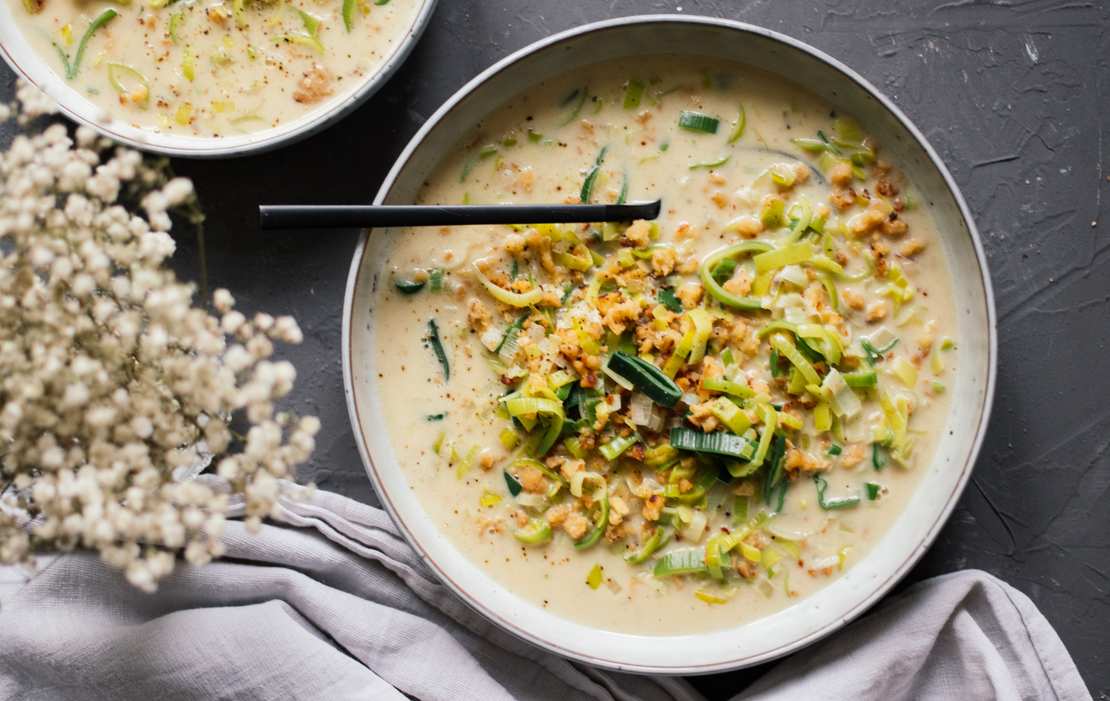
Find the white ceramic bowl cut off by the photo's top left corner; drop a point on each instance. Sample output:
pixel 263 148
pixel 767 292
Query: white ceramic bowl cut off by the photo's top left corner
pixel 27 63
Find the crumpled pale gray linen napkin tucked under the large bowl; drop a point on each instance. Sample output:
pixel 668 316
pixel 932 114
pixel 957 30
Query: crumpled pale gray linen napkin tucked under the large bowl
pixel 337 606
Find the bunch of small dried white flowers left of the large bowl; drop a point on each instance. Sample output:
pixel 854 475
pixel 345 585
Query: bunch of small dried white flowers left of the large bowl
pixel 112 381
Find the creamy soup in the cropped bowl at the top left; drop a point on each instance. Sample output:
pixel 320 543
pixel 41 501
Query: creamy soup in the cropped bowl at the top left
pixel 213 68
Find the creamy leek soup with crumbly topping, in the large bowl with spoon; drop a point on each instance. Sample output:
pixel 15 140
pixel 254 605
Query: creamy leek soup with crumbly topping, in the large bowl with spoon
pixel 679 425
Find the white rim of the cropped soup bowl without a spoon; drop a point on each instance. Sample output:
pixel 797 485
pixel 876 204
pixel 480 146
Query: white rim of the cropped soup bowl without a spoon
pixel 209 147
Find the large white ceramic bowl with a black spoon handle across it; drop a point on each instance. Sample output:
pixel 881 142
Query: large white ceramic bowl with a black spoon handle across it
pixel 863 585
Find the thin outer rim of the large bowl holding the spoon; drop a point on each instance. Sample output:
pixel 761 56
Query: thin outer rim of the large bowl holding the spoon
pixel 968 464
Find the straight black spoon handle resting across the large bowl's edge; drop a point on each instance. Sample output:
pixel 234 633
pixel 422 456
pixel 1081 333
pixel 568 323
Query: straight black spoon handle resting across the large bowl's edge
pixel 368 217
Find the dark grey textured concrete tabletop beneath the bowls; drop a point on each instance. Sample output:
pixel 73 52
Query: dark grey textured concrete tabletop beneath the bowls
pixel 1012 95
